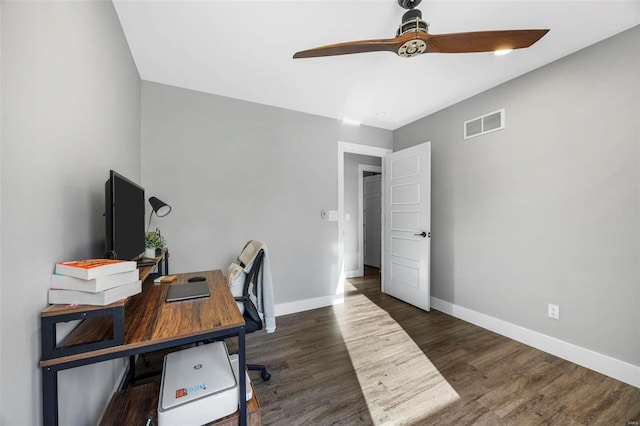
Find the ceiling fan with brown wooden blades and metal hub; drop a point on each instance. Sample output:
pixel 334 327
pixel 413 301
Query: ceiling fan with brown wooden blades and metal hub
pixel 413 38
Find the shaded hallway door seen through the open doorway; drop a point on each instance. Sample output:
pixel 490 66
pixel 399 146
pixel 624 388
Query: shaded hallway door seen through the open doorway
pixel 371 222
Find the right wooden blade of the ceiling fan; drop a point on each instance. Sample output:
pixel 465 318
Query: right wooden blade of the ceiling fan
pixel 483 41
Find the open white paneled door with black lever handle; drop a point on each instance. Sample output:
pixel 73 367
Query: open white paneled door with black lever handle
pixel 407 227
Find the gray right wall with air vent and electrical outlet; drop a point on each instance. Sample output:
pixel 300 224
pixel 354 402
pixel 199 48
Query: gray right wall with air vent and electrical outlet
pixel 547 210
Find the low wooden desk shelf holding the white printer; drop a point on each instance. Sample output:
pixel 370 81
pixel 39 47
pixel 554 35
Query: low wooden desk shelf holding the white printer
pixel 137 404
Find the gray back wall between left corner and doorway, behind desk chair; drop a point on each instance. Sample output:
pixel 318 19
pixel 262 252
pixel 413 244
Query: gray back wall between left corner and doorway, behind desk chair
pixel 235 171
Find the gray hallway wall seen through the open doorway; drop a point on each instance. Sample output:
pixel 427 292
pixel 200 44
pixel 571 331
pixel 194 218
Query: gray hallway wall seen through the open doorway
pixel 351 206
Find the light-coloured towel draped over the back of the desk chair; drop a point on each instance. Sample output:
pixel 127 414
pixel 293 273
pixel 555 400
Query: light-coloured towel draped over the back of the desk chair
pixel 265 285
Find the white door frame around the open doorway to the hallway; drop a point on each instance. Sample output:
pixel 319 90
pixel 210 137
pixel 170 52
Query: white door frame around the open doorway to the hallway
pixel 353 148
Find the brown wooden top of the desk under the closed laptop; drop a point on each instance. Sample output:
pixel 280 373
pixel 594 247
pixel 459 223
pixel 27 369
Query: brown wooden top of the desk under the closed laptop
pixel 149 320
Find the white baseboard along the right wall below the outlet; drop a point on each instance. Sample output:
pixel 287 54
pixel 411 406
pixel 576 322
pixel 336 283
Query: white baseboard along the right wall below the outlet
pixel 604 364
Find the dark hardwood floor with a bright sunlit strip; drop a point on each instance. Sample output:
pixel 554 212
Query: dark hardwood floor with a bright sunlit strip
pixel 377 361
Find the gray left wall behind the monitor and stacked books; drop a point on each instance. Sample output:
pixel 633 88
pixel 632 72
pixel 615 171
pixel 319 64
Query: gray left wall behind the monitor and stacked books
pixel 71 111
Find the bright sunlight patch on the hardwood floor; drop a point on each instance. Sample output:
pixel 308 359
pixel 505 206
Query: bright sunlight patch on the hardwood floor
pixel 399 383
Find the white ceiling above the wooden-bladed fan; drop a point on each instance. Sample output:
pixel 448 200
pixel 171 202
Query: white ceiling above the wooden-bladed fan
pixel 243 50
